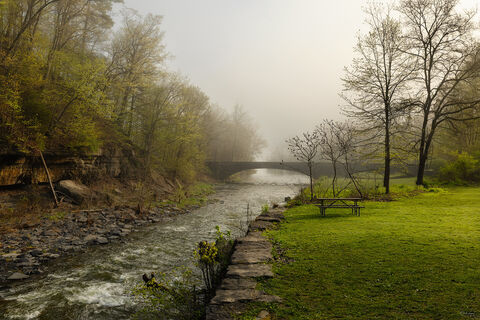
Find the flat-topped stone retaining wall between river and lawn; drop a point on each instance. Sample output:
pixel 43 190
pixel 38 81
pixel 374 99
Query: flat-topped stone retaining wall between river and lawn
pixel 250 260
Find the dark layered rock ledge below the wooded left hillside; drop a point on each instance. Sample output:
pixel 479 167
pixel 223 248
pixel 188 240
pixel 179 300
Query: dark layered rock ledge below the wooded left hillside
pixel 111 161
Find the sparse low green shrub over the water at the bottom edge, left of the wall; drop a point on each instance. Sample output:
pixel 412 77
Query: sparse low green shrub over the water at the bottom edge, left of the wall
pixel 170 296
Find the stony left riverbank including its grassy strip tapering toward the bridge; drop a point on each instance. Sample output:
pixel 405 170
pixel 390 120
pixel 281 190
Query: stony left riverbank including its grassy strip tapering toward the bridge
pixel 29 240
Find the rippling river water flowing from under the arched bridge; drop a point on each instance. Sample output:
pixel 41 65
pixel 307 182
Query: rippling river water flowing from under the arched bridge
pixel 97 284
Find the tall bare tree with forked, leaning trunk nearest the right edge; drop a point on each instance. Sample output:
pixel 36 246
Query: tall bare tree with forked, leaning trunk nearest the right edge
pixel 442 40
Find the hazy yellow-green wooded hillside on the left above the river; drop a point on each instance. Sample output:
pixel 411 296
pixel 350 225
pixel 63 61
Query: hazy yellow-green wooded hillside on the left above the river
pixel 69 83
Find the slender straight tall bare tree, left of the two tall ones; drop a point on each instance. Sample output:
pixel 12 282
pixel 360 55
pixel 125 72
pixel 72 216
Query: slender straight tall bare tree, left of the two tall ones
pixel 376 81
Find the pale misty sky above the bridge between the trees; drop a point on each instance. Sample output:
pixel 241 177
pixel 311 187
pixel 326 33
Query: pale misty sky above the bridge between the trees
pixel 282 60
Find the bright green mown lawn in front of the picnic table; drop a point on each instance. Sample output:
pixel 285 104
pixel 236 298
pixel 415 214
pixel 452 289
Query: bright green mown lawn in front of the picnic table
pixel 415 258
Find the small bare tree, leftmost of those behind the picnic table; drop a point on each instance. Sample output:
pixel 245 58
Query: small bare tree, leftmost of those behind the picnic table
pixel 305 148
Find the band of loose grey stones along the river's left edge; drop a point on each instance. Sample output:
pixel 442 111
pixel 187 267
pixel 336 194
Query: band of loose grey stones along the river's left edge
pixel 27 251
